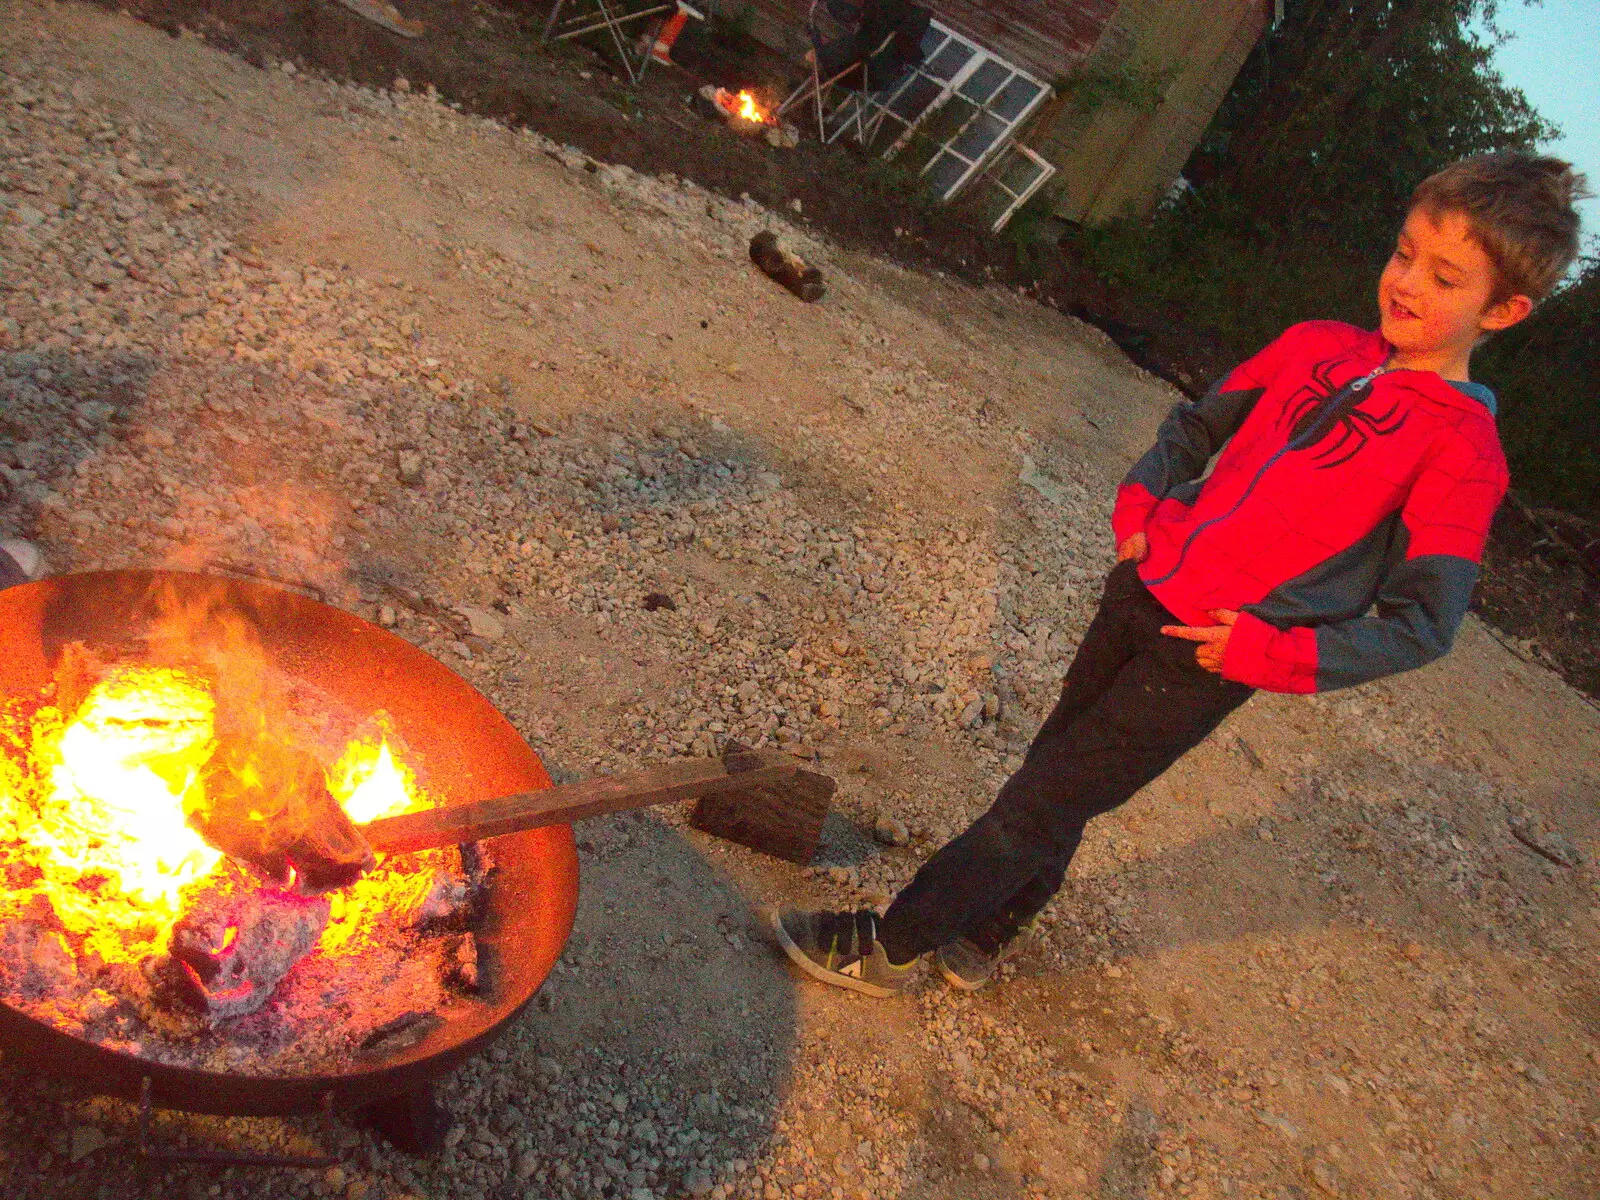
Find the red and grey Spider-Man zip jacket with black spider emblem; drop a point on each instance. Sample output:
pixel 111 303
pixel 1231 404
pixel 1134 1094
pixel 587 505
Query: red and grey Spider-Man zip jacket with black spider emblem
pixel 1345 518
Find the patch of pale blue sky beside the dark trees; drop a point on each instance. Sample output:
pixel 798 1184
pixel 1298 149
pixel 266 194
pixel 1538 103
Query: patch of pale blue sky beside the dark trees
pixel 1556 62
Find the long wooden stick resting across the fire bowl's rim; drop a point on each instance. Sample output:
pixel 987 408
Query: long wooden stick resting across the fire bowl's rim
pixel 572 802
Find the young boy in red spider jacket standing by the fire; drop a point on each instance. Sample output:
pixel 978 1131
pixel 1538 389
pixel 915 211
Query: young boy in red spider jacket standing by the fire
pixel 1335 542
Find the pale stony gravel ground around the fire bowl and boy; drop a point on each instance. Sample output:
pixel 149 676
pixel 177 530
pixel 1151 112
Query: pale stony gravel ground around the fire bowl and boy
pixel 350 337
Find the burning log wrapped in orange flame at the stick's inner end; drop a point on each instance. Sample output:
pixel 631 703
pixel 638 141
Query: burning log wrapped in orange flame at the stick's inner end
pixel 268 804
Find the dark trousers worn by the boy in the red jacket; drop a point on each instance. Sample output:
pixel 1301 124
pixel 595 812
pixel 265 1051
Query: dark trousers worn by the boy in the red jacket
pixel 1134 703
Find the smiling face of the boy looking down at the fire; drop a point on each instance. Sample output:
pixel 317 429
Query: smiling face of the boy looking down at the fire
pixel 1436 292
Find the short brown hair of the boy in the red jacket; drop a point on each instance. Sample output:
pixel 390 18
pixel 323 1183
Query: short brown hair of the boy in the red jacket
pixel 1521 210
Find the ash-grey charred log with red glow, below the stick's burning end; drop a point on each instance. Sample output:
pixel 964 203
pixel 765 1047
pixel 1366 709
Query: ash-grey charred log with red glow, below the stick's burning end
pixel 233 956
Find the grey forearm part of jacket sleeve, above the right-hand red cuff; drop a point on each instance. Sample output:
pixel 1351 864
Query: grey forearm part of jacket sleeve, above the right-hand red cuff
pixel 1418 610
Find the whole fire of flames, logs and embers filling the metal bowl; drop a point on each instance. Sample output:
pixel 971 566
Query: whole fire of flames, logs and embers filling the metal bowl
pixel 124 922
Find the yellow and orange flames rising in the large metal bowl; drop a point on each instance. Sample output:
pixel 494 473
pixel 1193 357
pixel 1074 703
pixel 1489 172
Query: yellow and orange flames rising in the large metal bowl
pixel 103 788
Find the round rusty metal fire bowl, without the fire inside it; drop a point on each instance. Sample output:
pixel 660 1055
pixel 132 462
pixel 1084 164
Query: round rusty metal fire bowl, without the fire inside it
pixel 465 750
